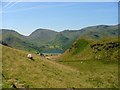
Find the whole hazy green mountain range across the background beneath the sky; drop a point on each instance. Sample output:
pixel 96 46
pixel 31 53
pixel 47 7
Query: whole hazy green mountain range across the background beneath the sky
pixel 45 39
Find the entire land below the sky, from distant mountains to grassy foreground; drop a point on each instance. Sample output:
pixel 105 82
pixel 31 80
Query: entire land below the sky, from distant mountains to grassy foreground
pixel 86 58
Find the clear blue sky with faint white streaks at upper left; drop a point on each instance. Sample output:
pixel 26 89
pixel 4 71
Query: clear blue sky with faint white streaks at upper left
pixel 26 17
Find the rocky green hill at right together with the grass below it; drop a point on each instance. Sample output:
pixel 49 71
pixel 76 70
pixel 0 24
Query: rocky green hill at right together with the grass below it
pixel 98 59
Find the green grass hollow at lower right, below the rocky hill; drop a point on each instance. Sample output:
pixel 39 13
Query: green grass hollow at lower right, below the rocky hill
pixel 98 73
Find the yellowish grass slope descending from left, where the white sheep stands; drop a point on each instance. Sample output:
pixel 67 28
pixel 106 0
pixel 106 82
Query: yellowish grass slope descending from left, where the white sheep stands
pixel 17 68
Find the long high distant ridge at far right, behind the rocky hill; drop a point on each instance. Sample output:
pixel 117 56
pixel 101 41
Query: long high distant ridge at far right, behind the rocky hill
pixel 99 31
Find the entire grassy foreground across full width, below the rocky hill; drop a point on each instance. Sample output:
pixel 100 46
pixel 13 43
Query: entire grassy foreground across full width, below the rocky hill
pixel 43 73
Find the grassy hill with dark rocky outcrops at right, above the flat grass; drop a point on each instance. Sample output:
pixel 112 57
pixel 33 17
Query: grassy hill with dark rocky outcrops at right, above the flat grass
pixel 84 49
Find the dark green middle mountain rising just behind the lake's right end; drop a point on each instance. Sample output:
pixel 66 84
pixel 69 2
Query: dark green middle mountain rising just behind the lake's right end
pixel 65 38
